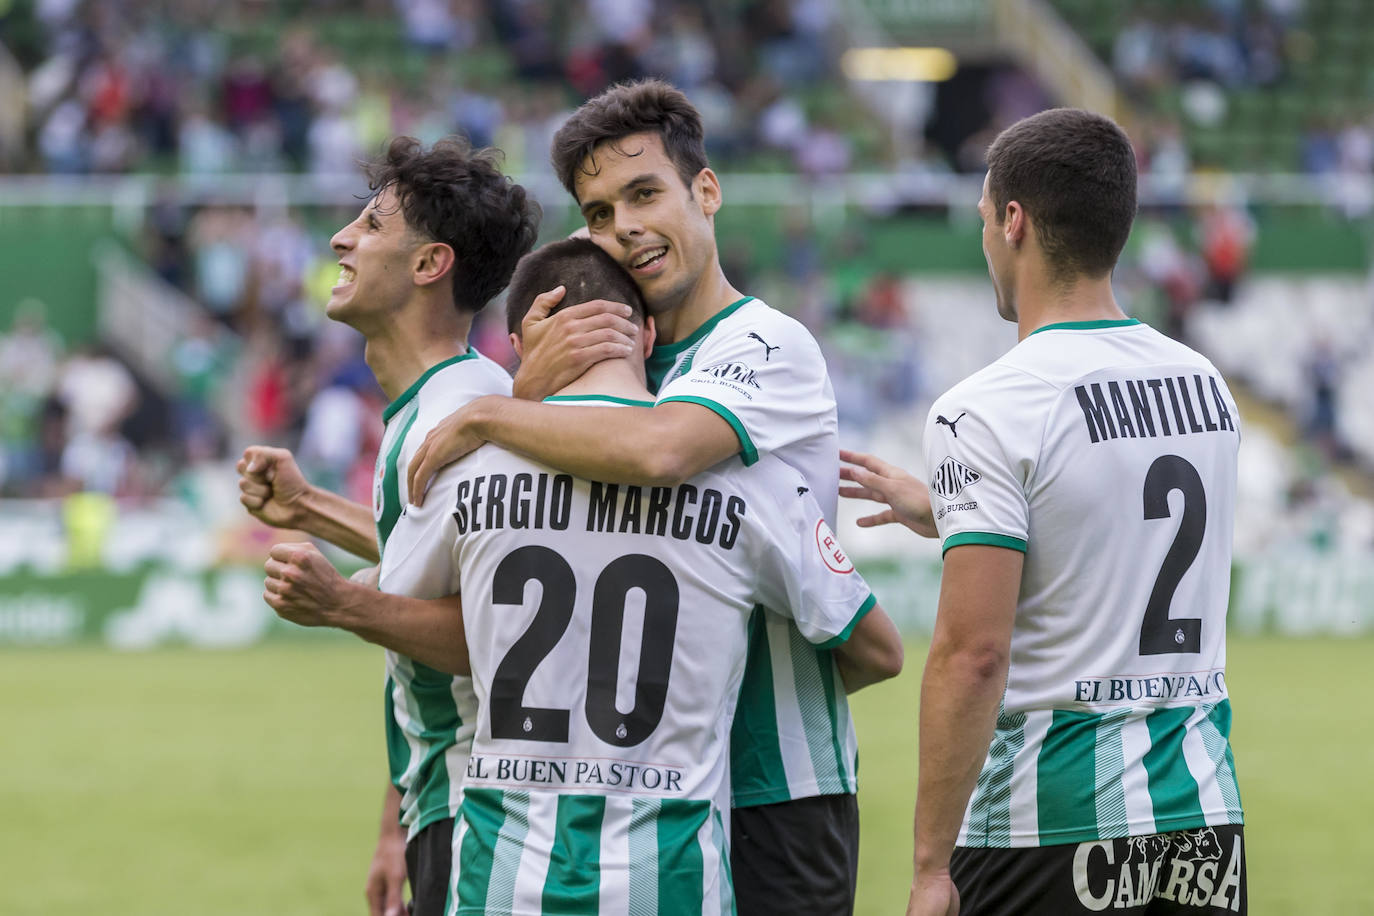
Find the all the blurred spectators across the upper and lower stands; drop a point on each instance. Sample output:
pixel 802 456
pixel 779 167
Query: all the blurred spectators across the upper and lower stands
pixel 204 89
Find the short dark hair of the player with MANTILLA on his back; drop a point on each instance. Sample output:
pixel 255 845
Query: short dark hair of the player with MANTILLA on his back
pixel 1075 175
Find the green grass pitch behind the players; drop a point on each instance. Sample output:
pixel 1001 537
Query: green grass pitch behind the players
pixel 249 782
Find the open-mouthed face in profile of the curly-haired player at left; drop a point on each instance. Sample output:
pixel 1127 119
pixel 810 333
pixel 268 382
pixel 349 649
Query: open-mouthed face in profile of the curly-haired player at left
pixel 377 259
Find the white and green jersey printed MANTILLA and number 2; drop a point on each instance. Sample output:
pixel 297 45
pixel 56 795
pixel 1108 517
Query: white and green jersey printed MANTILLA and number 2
pixel 1107 453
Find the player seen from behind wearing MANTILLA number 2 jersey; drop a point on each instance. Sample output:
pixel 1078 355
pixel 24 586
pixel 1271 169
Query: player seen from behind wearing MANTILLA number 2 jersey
pixel 1075 720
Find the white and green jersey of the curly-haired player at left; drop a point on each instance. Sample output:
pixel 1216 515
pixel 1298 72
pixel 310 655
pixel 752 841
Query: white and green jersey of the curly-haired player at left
pixel 429 715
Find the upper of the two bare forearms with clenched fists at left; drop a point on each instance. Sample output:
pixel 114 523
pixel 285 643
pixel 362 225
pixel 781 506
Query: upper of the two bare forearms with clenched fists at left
pixel 274 491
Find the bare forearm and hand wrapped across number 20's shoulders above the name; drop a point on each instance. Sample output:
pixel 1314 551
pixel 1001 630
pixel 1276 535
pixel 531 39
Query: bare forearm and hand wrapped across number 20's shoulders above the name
pixel 662 446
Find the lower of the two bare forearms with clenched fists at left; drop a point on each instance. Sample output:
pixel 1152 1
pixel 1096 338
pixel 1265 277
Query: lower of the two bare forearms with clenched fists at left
pixel 304 587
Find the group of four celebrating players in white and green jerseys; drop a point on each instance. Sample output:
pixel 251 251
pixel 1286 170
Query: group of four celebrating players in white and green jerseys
pixel 620 631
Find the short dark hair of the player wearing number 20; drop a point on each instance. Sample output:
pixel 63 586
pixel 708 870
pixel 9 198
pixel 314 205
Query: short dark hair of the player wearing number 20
pixel 576 264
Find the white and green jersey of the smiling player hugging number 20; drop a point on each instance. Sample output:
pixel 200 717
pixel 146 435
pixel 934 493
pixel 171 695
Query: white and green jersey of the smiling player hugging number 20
pixel 765 374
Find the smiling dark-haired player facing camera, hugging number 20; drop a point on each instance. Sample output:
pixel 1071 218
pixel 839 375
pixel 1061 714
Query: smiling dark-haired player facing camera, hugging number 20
pixel 734 380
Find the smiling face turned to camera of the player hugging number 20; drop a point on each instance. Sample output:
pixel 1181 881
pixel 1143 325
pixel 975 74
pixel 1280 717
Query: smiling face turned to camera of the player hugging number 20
pixel 641 214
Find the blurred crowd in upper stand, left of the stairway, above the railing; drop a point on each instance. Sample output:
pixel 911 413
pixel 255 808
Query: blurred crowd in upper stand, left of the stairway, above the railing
pixel 208 87
